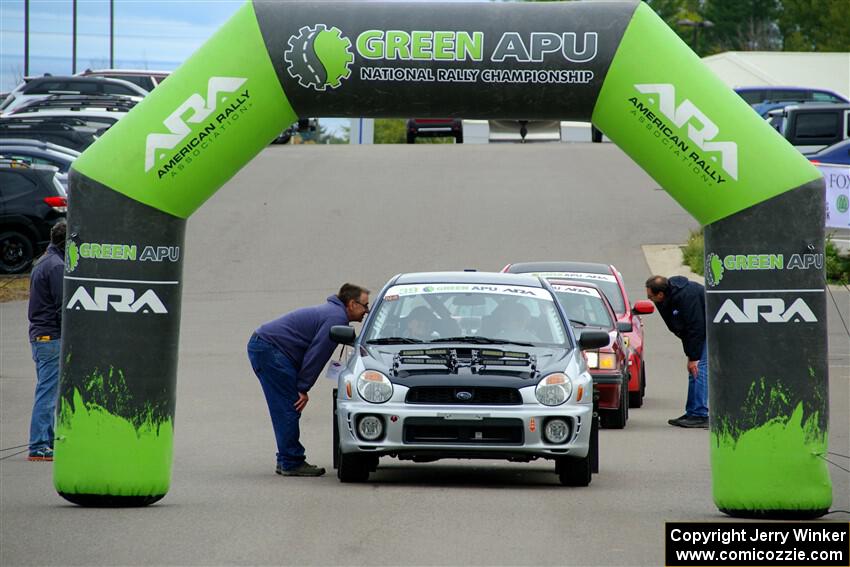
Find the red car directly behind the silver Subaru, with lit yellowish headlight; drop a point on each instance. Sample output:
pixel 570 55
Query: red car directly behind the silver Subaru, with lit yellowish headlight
pixel 587 308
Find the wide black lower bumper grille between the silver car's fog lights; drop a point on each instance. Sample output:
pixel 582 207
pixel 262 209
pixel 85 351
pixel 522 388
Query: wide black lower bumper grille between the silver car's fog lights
pixel 492 431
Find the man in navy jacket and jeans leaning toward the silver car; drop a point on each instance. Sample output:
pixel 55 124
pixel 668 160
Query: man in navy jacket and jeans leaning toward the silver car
pixel 287 355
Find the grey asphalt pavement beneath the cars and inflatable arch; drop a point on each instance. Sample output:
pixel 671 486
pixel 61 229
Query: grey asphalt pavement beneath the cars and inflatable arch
pixel 286 232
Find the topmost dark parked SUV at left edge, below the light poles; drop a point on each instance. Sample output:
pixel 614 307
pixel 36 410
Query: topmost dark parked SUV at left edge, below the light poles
pixel 43 87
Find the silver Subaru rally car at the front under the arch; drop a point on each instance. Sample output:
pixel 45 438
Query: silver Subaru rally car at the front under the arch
pixel 467 365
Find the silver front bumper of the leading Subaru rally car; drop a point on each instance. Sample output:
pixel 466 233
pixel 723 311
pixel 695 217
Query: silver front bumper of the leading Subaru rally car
pixel 419 431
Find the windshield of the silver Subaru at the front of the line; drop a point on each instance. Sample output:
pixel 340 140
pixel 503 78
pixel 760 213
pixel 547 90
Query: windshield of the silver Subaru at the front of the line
pixel 474 313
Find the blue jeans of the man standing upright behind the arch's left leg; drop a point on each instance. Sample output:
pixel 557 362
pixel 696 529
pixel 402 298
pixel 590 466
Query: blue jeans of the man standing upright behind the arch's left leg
pixel 45 354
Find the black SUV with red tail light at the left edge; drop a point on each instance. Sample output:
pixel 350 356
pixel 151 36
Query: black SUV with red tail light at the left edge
pixel 31 201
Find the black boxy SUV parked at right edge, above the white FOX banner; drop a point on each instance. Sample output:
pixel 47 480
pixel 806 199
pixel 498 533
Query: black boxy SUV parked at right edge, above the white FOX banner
pixel 812 127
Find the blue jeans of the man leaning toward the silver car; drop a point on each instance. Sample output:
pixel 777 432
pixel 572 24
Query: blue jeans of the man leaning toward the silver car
pixel 278 376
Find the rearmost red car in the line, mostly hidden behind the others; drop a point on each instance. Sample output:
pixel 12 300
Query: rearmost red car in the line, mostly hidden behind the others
pixel 610 281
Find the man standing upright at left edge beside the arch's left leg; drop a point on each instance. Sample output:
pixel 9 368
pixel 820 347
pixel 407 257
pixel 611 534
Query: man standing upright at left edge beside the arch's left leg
pixel 45 317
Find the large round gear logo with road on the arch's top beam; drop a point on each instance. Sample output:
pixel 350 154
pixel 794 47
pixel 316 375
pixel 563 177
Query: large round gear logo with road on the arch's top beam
pixel 319 57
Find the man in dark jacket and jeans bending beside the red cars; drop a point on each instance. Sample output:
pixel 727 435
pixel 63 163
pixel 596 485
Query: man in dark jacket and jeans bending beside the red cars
pixel 681 304
